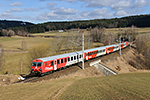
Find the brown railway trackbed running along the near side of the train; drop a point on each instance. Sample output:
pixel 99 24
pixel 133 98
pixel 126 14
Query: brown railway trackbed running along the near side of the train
pixel 71 69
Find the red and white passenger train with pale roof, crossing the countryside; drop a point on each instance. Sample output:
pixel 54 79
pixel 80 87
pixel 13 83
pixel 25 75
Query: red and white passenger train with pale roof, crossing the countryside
pixel 48 64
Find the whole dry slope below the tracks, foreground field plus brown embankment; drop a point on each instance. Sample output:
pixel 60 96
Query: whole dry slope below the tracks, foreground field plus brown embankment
pixel 85 84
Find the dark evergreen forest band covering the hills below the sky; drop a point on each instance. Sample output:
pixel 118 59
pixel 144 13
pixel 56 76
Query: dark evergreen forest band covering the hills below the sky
pixel 138 21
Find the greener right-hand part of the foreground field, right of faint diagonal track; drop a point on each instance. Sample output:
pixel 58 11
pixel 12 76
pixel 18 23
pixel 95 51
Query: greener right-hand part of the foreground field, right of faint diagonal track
pixel 133 86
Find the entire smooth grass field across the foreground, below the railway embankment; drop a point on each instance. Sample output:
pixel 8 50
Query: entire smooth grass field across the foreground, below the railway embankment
pixel 132 86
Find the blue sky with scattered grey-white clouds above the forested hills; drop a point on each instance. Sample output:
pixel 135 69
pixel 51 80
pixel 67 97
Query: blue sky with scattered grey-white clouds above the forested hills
pixel 40 11
